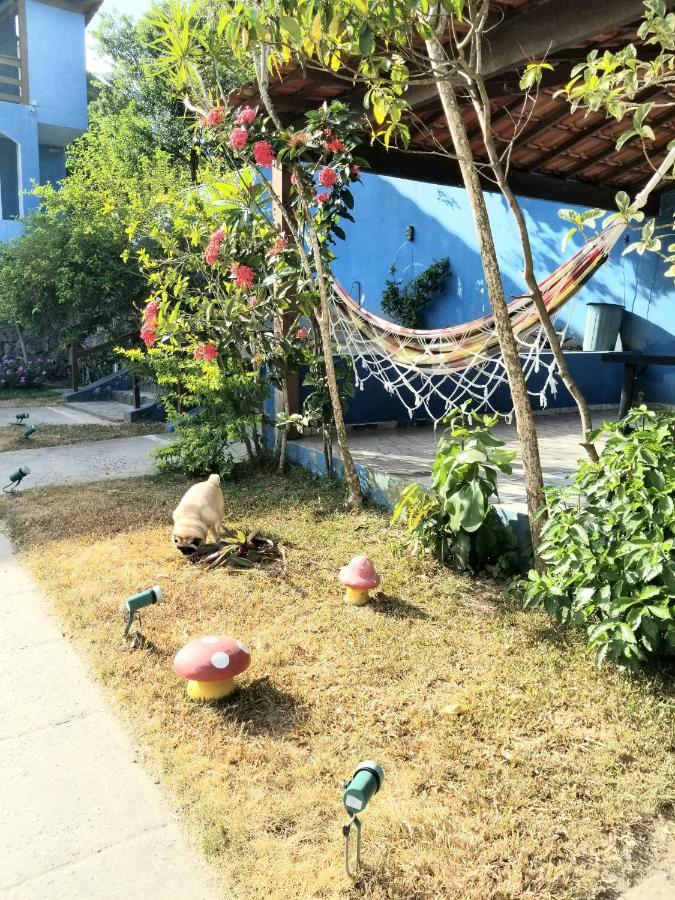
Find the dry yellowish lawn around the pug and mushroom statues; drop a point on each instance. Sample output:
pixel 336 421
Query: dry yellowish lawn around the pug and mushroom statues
pixel 549 784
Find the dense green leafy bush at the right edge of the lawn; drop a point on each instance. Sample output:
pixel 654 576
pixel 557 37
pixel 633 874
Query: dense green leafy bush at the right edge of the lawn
pixel 609 542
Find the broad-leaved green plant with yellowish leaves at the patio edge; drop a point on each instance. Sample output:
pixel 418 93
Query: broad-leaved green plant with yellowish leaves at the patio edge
pixel 456 520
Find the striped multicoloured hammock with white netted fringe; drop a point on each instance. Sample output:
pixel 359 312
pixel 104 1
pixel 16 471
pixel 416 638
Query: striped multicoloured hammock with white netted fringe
pixel 436 369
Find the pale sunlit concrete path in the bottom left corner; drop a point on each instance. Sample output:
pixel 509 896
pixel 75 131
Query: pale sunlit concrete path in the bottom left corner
pixel 79 817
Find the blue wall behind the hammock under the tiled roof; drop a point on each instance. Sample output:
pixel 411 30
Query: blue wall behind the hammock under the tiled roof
pixel 385 206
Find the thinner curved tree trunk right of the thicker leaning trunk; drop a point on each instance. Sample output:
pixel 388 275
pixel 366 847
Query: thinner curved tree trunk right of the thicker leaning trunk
pixel 483 110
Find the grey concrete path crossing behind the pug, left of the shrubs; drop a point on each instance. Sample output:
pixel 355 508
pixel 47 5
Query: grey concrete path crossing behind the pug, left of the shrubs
pixel 92 461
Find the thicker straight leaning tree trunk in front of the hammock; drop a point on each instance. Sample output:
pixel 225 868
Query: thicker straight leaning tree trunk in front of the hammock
pixel 529 447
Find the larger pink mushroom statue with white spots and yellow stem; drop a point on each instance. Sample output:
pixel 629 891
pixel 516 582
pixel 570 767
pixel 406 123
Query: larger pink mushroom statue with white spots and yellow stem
pixel 210 664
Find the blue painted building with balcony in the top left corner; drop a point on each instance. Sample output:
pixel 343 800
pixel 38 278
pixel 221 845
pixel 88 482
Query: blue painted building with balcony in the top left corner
pixel 43 96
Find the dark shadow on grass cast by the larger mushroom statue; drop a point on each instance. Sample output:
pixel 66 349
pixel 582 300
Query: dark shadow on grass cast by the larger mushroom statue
pixel 262 708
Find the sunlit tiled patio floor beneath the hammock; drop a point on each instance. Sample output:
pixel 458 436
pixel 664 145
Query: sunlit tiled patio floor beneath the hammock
pixel 408 451
